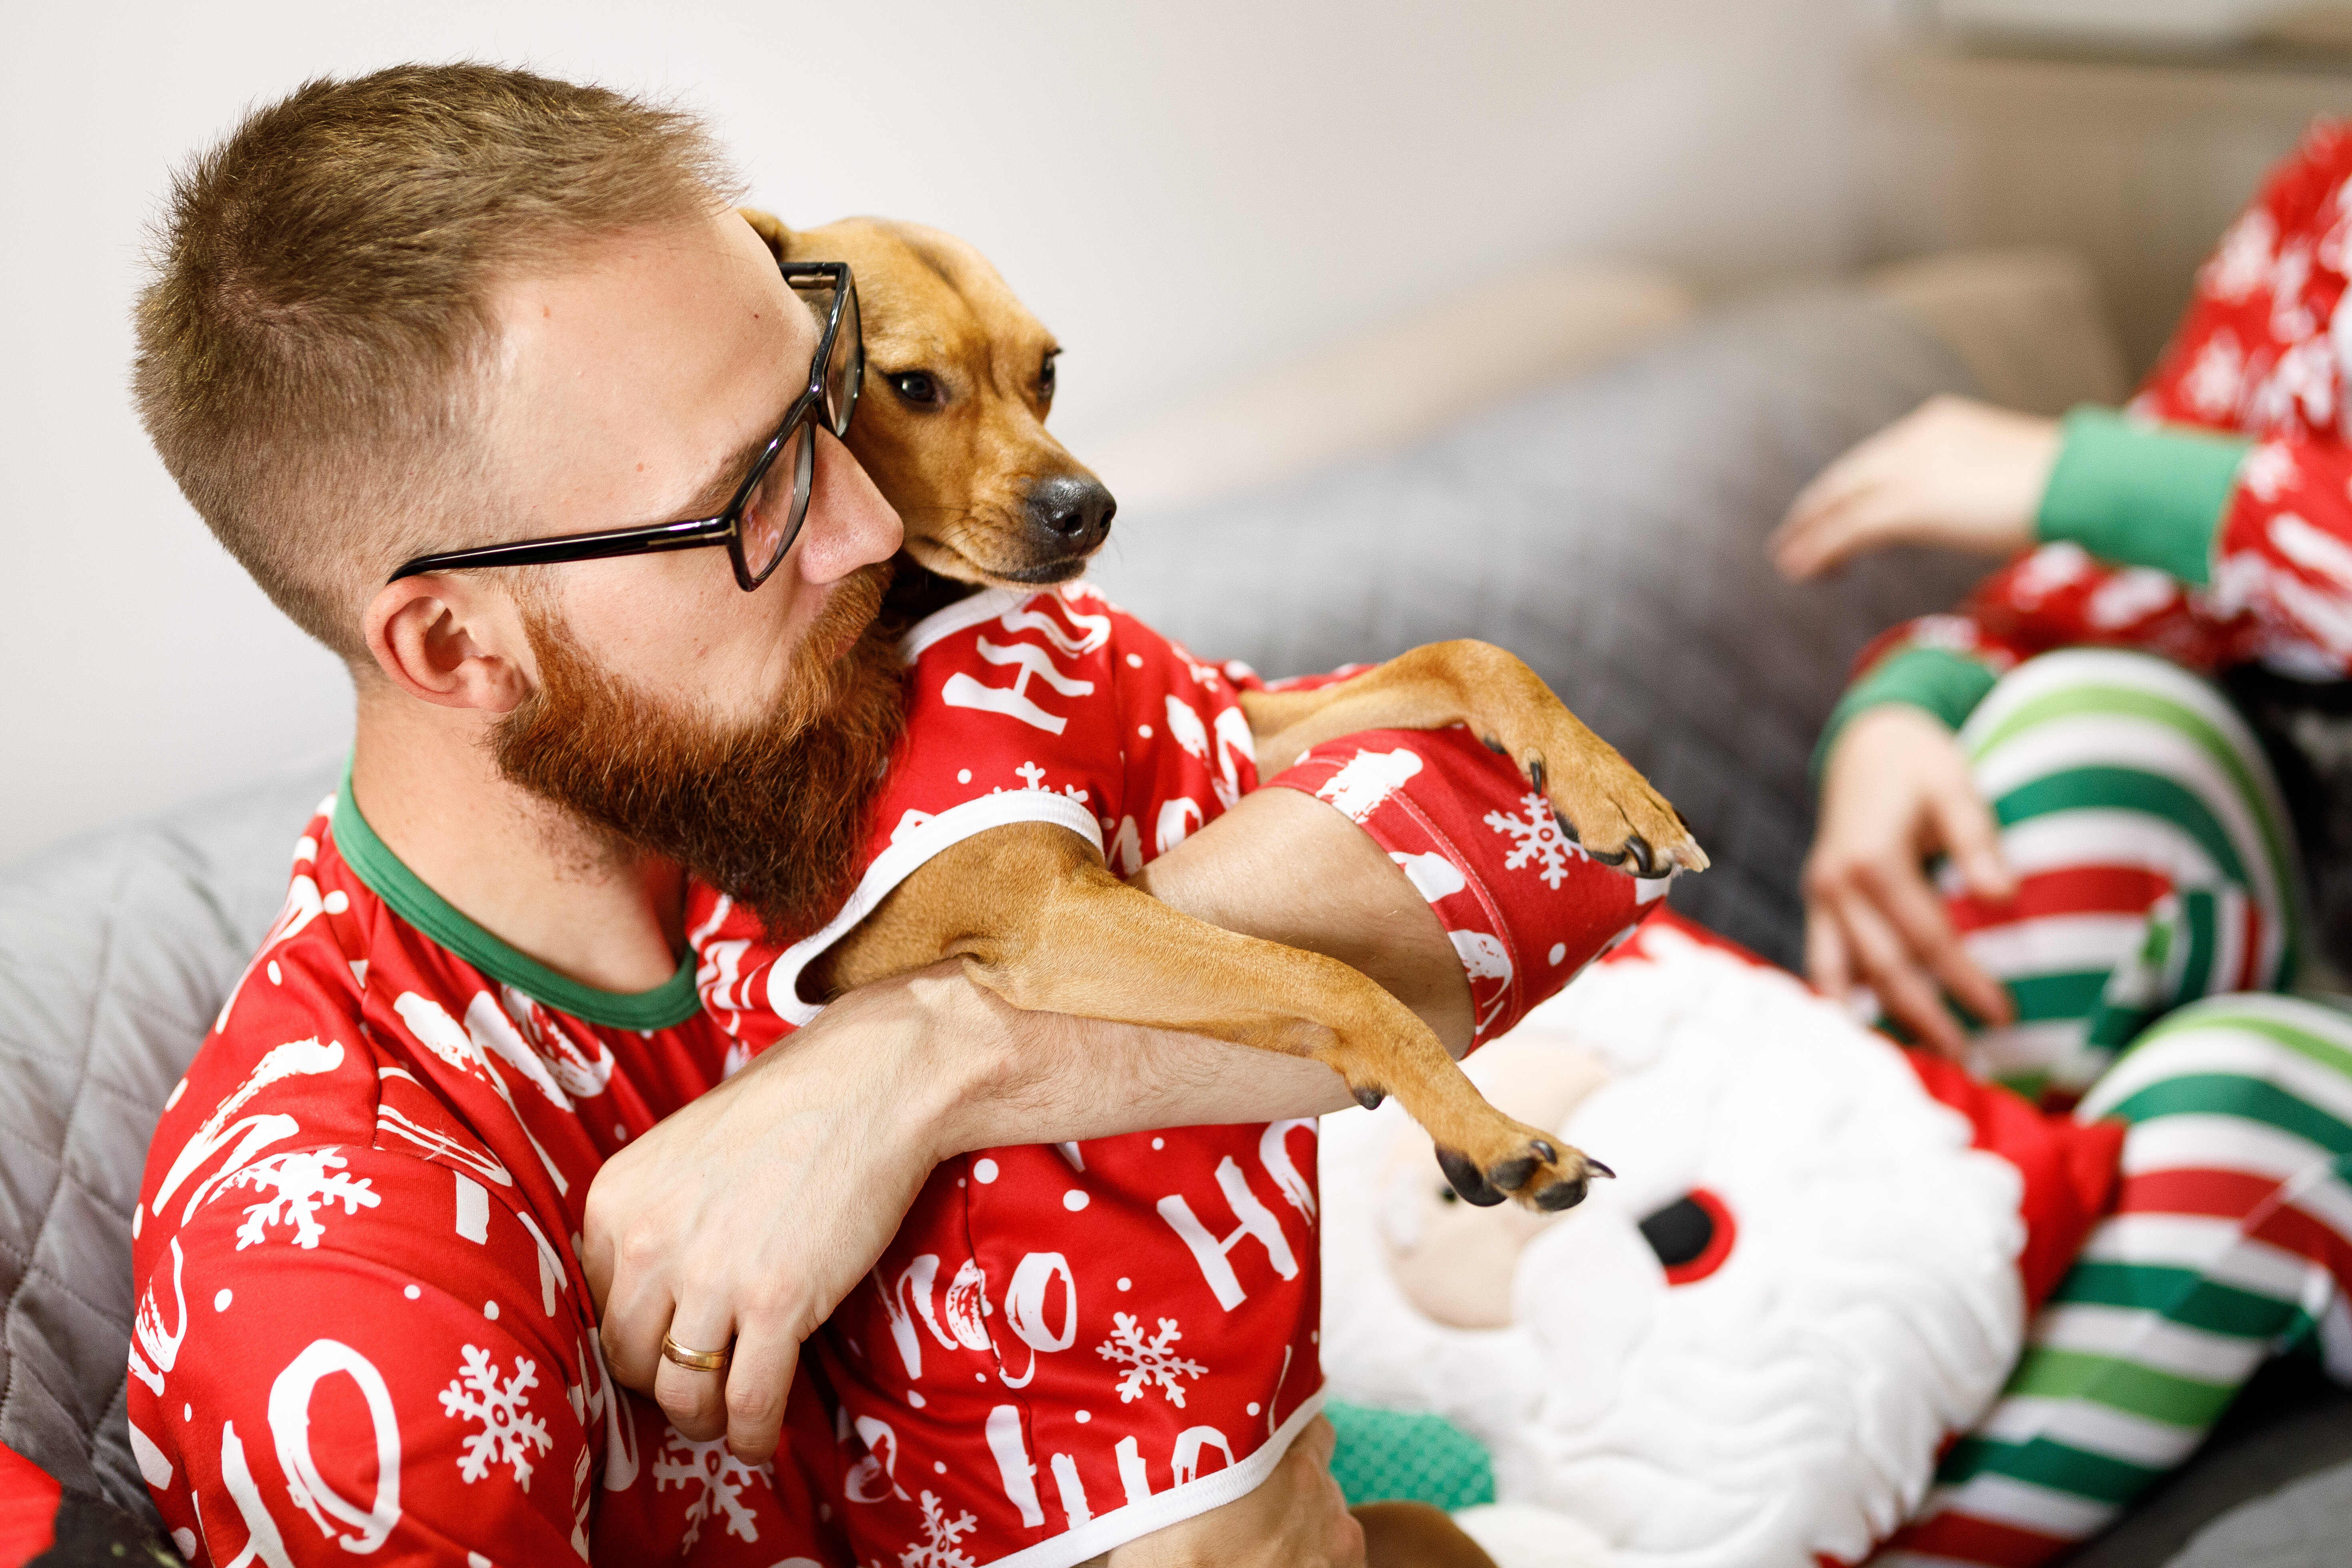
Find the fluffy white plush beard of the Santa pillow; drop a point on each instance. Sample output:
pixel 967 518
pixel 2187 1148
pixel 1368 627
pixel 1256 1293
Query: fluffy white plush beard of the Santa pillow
pixel 1789 1405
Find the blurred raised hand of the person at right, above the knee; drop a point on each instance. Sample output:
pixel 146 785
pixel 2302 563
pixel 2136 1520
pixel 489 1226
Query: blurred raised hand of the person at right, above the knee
pixel 1951 474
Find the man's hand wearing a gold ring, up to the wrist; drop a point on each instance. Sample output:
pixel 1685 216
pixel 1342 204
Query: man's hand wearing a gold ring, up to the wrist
pixel 749 1214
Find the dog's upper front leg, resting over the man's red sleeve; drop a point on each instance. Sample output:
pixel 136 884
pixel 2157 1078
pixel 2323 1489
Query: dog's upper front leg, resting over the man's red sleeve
pixel 1598 798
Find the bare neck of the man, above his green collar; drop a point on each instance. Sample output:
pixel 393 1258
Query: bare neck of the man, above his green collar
pixel 509 862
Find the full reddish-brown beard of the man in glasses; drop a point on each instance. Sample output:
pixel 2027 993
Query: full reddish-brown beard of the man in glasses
pixel 770 812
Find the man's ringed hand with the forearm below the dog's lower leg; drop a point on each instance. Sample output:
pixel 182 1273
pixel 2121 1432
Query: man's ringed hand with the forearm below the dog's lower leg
pixel 749 1214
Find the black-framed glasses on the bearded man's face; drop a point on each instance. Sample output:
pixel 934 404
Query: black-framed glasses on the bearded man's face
pixel 768 509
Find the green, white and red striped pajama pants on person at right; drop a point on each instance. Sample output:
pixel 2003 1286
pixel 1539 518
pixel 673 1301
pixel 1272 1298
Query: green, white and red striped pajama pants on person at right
pixel 2151 937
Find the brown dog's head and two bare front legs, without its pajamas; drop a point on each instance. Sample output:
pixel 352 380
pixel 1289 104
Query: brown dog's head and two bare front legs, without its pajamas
pixel 961 380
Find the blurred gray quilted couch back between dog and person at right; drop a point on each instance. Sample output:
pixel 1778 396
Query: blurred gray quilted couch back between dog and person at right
pixel 1610 532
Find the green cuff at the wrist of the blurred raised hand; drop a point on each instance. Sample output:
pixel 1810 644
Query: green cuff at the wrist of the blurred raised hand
pixel 2141 495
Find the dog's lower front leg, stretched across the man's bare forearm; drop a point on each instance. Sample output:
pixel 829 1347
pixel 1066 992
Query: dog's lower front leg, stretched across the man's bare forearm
pixel 1041 923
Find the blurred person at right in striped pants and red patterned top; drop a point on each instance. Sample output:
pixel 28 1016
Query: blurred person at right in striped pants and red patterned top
pixel 2050 847
